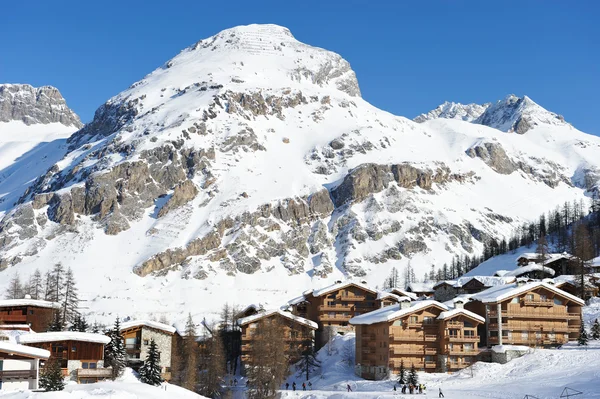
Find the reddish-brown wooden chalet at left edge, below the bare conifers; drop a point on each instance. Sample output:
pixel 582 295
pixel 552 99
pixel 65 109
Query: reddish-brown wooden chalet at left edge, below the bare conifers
pixel 36 313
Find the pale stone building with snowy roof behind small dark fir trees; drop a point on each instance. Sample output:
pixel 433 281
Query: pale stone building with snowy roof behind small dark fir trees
pixel 138 335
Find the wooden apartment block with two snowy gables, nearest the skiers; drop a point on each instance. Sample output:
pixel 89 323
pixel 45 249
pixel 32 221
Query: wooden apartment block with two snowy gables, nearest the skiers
pixel 427 334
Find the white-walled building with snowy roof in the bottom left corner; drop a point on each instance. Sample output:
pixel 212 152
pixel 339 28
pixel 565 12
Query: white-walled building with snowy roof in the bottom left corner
pixel 20 366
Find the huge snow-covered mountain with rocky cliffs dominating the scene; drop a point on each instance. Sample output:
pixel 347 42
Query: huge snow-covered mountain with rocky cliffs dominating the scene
pixel 248 168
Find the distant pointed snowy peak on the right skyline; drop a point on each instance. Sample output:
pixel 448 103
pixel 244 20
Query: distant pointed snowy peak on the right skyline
pixel 518 114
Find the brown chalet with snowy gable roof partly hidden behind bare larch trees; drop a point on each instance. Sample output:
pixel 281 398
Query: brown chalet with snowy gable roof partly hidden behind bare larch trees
pixel 298 333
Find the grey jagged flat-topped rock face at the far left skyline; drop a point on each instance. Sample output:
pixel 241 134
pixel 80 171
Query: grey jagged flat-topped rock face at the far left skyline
pixel 31 105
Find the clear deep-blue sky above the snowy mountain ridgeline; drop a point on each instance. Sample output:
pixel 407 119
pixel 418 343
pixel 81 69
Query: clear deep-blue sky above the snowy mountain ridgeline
pixel 409 56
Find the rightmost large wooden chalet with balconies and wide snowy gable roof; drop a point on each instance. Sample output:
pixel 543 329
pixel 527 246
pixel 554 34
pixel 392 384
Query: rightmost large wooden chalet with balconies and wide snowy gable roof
pixel 528 313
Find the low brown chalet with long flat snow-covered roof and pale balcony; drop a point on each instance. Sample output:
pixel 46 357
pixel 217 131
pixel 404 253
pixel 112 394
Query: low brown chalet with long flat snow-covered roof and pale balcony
pixel 81 355
